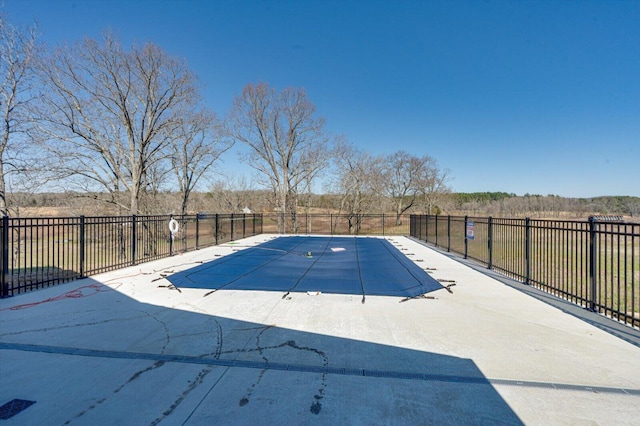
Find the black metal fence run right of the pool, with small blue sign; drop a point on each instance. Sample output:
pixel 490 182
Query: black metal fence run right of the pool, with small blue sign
pixel 594 263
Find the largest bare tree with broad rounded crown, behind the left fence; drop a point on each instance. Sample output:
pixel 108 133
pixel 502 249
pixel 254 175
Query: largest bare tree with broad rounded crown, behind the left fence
pixel 110 113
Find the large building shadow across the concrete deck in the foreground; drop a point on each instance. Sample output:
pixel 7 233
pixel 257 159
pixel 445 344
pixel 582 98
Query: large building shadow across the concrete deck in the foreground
pixel 89 354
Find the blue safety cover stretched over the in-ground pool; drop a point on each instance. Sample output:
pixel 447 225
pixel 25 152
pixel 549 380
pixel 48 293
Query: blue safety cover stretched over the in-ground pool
pixel 343 265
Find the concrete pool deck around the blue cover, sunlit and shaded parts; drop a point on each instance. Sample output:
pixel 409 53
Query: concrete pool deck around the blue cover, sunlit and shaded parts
pixel 125 347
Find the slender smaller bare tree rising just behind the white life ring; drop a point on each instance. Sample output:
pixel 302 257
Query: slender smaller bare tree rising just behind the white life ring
pixel 197 145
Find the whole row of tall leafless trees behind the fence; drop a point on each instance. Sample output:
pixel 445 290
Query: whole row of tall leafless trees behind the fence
pixel 124 125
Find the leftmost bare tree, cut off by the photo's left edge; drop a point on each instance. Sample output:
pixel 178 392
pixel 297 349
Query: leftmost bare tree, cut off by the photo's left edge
pixel 18 52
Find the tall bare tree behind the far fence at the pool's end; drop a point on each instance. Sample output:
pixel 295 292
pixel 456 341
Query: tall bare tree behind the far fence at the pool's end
pixel 288 144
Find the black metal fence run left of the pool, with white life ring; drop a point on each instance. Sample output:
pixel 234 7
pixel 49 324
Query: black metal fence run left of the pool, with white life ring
pixel 40 252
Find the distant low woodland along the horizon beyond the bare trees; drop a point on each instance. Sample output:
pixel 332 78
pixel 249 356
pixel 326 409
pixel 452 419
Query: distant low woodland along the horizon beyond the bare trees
pixel 232 197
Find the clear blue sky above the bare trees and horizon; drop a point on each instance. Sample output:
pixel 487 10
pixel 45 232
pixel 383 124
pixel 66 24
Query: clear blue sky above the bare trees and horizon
pixel 539 97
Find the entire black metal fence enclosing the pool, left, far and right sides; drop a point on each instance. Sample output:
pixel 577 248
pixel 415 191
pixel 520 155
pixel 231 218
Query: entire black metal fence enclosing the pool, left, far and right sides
pixel 594 264
